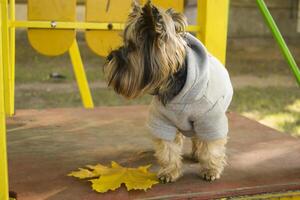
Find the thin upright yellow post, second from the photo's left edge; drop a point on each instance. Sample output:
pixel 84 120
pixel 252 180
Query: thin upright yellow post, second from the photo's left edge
pixel 12 57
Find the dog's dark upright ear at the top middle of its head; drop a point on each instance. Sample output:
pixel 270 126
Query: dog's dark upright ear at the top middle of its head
pixel 153 19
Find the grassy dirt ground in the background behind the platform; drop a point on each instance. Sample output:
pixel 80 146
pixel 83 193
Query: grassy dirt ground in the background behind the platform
pixel 265 89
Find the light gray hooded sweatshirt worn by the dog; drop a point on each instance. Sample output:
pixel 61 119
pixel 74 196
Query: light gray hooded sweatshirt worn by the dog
pixel 200 107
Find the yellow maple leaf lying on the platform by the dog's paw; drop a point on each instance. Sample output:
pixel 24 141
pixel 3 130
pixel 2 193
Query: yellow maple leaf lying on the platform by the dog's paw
pixel 112 178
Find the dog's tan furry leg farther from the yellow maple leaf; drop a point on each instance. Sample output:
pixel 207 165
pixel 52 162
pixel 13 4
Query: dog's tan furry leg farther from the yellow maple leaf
pixel 211 157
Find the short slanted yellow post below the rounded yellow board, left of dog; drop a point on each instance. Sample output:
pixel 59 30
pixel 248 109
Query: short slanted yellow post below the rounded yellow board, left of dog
pixel 81 76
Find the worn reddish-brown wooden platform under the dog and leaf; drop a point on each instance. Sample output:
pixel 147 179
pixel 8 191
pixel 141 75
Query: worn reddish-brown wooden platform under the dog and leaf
pixel 44 146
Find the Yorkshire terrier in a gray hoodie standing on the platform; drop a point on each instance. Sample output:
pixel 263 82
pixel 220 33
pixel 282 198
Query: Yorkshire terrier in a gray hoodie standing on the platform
pixel 191 89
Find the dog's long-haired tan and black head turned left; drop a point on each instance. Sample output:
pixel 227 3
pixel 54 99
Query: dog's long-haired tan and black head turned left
pixel 153 50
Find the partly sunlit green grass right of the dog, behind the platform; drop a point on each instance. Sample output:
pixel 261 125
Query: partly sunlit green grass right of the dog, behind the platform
pixel 275 107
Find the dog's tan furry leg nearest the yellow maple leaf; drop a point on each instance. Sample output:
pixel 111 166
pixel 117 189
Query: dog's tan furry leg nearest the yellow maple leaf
pixel 169 156
